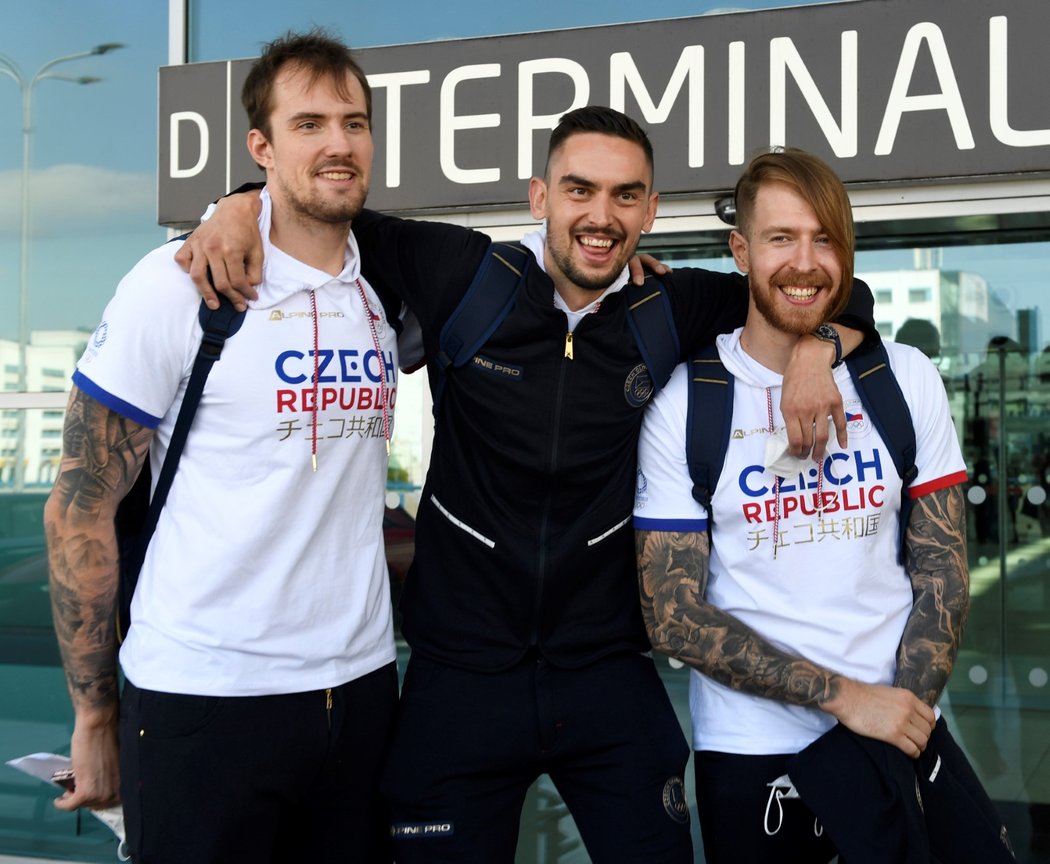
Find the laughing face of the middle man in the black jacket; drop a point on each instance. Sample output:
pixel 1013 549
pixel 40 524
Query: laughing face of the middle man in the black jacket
pixel 597 199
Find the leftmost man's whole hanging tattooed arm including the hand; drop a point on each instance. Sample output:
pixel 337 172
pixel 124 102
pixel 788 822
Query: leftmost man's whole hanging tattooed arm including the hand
pixel 102 455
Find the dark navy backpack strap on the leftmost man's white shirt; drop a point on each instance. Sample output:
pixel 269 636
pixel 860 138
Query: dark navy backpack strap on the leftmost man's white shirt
pixel 135 531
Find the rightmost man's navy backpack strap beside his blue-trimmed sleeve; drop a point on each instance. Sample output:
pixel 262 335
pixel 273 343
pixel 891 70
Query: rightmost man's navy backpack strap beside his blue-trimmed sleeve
pixel 708 424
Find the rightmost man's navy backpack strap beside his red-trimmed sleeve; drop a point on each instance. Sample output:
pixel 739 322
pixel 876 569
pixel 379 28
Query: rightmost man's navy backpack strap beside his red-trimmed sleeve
pixel 883 398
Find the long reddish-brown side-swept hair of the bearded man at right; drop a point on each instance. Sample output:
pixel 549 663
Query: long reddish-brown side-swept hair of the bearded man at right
pixel 820 186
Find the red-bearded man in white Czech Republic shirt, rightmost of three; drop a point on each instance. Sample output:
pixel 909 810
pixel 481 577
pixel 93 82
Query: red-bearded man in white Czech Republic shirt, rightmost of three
pixel 789 596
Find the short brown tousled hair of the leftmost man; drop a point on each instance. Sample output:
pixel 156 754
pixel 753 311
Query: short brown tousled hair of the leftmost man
pixel 318 53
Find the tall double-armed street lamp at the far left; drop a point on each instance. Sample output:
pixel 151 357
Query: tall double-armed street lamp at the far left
pixel 27 86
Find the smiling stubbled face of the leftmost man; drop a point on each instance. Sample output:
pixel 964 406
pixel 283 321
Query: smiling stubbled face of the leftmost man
pixel 319 155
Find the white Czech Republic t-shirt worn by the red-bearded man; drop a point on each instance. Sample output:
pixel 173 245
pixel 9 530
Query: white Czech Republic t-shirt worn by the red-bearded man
pixel 835 593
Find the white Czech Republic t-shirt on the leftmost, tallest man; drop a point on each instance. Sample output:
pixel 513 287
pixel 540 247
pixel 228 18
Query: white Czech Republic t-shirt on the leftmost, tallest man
pixel 264 577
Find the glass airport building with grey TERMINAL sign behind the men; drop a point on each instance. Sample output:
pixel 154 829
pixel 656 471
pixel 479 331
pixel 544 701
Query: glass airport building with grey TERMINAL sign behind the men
pixel 121 121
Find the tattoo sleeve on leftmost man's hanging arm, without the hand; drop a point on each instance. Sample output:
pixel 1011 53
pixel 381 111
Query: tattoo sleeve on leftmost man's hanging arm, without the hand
pixel 102 456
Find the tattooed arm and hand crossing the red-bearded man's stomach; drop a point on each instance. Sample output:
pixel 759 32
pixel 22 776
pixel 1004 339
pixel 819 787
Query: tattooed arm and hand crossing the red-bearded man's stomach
pixel 674 574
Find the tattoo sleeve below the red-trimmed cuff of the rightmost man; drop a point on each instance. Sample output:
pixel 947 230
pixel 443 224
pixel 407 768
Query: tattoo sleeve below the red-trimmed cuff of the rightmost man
pixel 935 550
